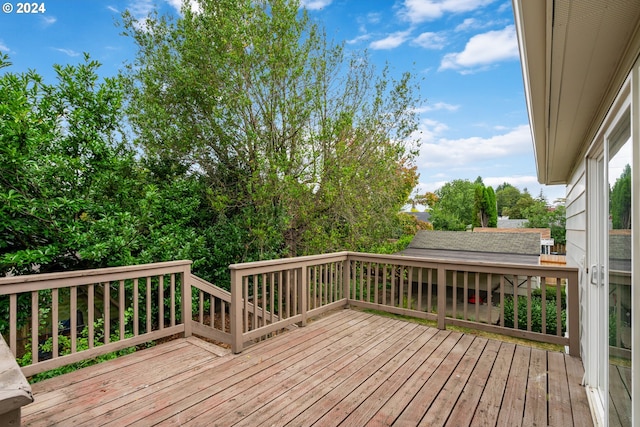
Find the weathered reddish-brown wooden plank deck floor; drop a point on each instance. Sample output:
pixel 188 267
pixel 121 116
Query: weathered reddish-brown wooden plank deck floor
pixel 349 368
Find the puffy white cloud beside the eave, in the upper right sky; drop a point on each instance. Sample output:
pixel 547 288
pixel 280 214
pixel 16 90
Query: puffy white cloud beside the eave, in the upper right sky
pixel 484 49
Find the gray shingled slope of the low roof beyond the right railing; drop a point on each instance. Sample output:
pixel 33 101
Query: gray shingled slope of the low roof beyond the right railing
pixel 506 243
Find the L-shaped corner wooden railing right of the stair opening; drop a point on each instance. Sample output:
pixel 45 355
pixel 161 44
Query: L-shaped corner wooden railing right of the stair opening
pixel 509 299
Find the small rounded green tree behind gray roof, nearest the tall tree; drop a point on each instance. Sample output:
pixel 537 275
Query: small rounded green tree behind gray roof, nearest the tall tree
pixel 454 208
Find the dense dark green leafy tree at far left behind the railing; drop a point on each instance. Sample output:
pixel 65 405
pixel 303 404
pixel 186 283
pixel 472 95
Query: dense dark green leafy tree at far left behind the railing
pixel 63 163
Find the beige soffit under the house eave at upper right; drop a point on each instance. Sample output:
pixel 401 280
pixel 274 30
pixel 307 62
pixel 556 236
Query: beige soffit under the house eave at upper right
pixel 582 49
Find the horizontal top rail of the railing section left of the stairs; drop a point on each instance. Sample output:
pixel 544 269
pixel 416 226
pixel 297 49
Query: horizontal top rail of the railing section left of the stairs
pixel 43 281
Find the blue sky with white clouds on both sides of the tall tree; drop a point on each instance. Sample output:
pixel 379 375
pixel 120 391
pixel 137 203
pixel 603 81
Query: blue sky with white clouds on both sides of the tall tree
pixel 473 121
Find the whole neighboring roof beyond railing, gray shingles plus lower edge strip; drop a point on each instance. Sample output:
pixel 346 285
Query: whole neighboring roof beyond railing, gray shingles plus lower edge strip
pixel 521 248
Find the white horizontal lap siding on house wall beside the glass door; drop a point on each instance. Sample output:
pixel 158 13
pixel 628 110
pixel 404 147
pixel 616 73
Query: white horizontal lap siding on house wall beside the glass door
pixel 576 227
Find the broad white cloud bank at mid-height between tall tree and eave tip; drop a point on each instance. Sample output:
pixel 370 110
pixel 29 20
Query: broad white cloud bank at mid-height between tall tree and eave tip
pixel 453 153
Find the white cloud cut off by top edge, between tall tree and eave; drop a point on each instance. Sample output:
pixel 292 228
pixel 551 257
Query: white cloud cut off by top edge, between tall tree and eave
pixel 417 11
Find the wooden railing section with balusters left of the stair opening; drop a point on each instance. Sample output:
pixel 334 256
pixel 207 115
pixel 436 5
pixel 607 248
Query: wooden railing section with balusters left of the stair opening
pixel 61 318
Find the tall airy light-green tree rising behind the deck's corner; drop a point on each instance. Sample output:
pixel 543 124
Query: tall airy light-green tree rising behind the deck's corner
pixel 303 147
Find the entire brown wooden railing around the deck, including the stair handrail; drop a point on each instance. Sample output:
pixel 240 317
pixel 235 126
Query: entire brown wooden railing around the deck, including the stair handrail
pixel 61 318
